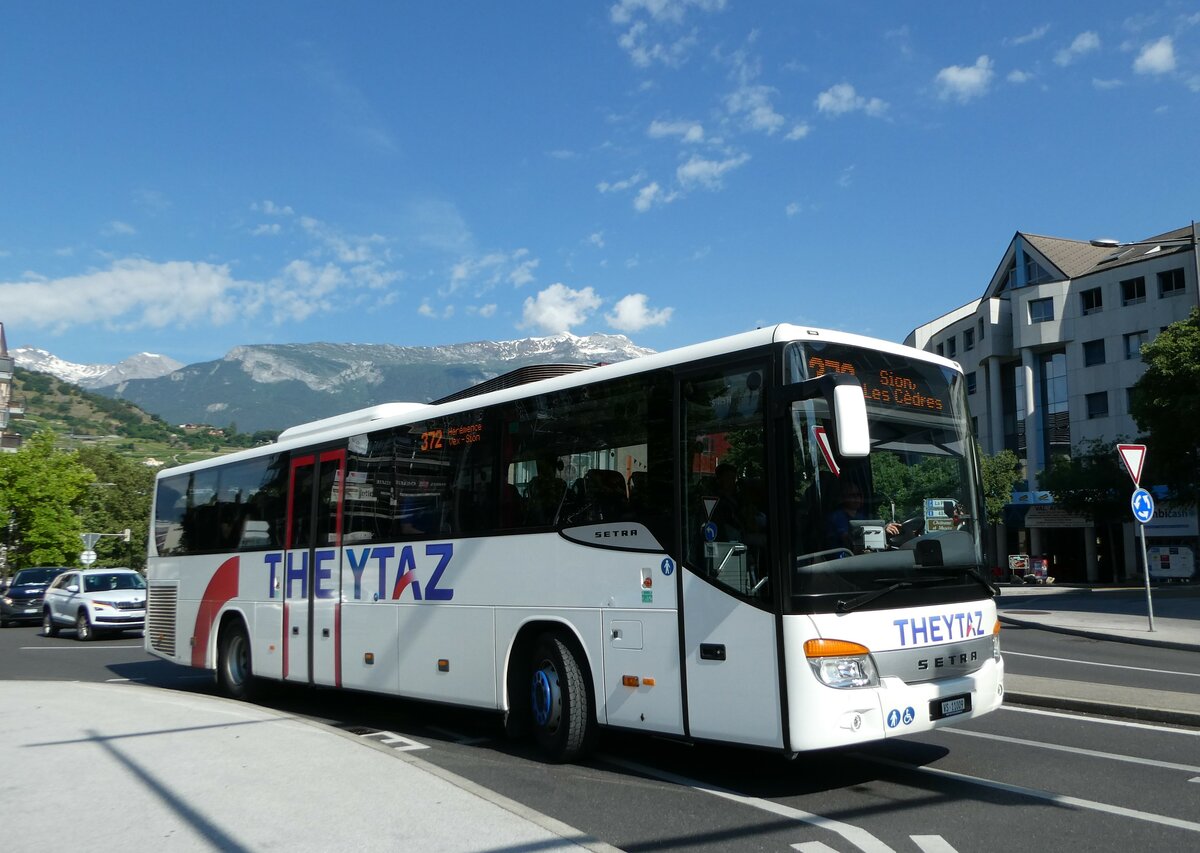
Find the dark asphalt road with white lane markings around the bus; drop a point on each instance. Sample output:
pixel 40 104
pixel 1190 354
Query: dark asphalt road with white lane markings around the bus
pixel 1019 780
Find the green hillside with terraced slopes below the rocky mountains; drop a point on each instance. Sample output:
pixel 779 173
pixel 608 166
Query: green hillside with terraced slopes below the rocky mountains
pixel 81 418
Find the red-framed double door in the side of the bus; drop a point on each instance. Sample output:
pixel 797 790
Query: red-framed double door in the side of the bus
pixel 314 570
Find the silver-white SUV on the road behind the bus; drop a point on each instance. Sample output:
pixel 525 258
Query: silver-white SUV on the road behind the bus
pixel 95 600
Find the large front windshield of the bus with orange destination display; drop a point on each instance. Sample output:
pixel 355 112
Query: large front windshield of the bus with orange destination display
pixel 891 528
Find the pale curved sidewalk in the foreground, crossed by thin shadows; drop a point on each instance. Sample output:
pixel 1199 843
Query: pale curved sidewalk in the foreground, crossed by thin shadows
pixel 151 770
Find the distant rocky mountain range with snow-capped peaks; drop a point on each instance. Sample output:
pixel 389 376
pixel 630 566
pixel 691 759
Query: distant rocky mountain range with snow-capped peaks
pixel 272 387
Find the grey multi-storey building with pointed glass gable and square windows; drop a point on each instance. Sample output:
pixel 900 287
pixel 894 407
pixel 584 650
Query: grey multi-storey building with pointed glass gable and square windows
pixel 1051 353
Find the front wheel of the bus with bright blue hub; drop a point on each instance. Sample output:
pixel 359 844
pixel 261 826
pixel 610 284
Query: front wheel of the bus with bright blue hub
pixel 561 704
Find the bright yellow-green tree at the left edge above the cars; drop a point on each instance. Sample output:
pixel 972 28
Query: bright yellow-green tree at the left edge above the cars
pixel 41 491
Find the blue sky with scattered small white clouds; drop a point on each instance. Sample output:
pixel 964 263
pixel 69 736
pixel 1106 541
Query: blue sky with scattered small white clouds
pixel 183 178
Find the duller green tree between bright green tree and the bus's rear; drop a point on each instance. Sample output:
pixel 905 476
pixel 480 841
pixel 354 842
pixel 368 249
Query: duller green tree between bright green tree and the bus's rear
pixel 119 500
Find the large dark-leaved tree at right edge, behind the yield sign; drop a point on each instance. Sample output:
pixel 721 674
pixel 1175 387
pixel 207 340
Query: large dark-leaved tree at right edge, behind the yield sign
pixel 1166 404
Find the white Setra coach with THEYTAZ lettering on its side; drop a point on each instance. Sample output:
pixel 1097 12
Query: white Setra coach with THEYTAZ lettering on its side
pixel 723 543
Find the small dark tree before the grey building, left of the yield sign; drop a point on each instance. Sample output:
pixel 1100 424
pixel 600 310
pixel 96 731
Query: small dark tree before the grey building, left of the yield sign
pixel 1093 484
